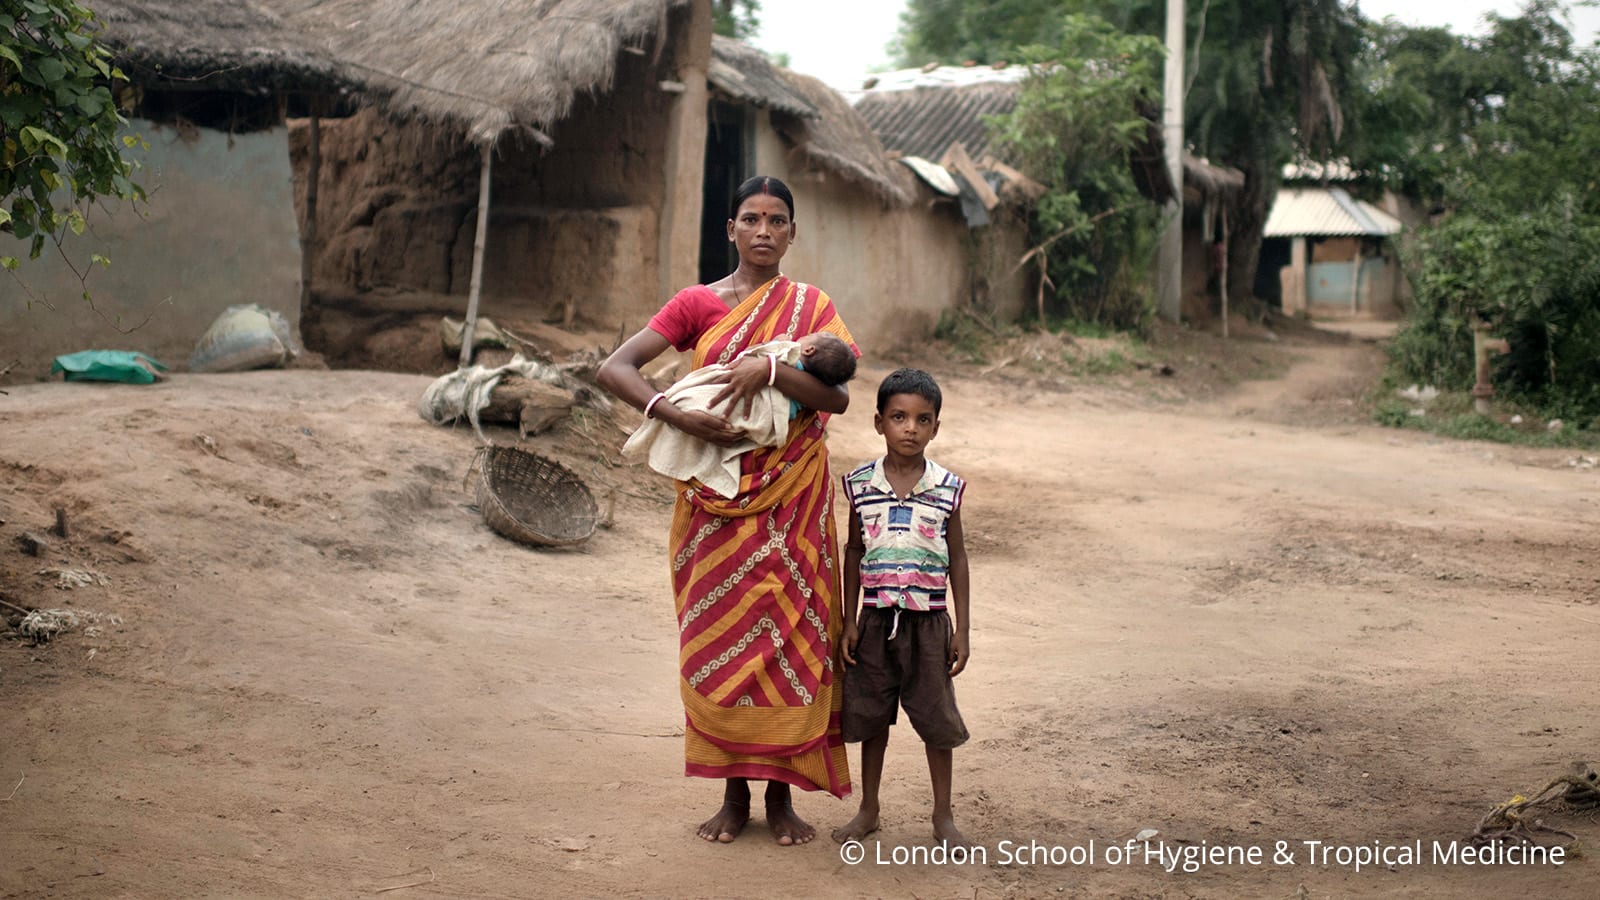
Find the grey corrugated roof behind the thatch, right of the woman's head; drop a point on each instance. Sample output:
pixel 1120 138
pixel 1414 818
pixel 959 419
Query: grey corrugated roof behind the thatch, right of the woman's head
pixel 926 121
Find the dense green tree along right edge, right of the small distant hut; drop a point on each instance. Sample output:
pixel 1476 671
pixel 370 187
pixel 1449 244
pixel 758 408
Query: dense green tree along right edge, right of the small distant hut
pixel 1498 137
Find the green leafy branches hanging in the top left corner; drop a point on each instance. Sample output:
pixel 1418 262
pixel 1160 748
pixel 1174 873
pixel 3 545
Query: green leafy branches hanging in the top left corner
pixel 58 123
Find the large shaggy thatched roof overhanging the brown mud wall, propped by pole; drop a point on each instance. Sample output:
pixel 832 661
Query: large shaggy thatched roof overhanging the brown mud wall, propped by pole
pixel 490 66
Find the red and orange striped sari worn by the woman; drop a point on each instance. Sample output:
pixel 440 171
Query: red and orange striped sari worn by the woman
pixel 756 581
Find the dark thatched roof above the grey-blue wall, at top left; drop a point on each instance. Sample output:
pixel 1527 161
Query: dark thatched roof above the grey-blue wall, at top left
pixel 212 46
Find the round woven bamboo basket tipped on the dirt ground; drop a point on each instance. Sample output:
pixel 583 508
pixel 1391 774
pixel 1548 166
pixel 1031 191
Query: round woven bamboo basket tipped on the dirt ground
pixel 534 500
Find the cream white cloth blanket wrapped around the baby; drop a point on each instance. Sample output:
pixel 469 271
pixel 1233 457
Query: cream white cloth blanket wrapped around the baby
pixel 684 457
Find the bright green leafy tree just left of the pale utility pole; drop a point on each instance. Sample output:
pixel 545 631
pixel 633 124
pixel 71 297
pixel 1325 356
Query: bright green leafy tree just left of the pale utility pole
pixel 1076 126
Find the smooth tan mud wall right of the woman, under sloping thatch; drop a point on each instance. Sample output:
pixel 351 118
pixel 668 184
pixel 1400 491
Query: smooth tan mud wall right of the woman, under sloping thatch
pixel 892 273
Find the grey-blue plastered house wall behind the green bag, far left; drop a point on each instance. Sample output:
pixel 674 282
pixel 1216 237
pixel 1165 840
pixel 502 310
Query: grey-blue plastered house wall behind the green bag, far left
pixel 218 230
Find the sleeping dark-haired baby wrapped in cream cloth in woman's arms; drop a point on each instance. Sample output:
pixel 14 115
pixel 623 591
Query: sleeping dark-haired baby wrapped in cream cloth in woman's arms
pixel 682 457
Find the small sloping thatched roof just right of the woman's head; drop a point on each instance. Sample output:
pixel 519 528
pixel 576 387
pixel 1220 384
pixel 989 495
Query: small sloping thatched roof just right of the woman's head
pixel 841 142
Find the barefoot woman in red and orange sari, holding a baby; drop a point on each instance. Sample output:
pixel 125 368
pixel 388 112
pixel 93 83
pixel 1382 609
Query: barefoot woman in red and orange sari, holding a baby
pixel 756 577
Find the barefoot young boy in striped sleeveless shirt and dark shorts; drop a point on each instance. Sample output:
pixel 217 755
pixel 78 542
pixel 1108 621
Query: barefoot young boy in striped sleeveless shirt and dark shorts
pixel 906 563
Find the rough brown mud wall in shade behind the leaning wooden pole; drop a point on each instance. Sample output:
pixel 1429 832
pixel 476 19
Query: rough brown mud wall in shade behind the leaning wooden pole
pixel 572 223
